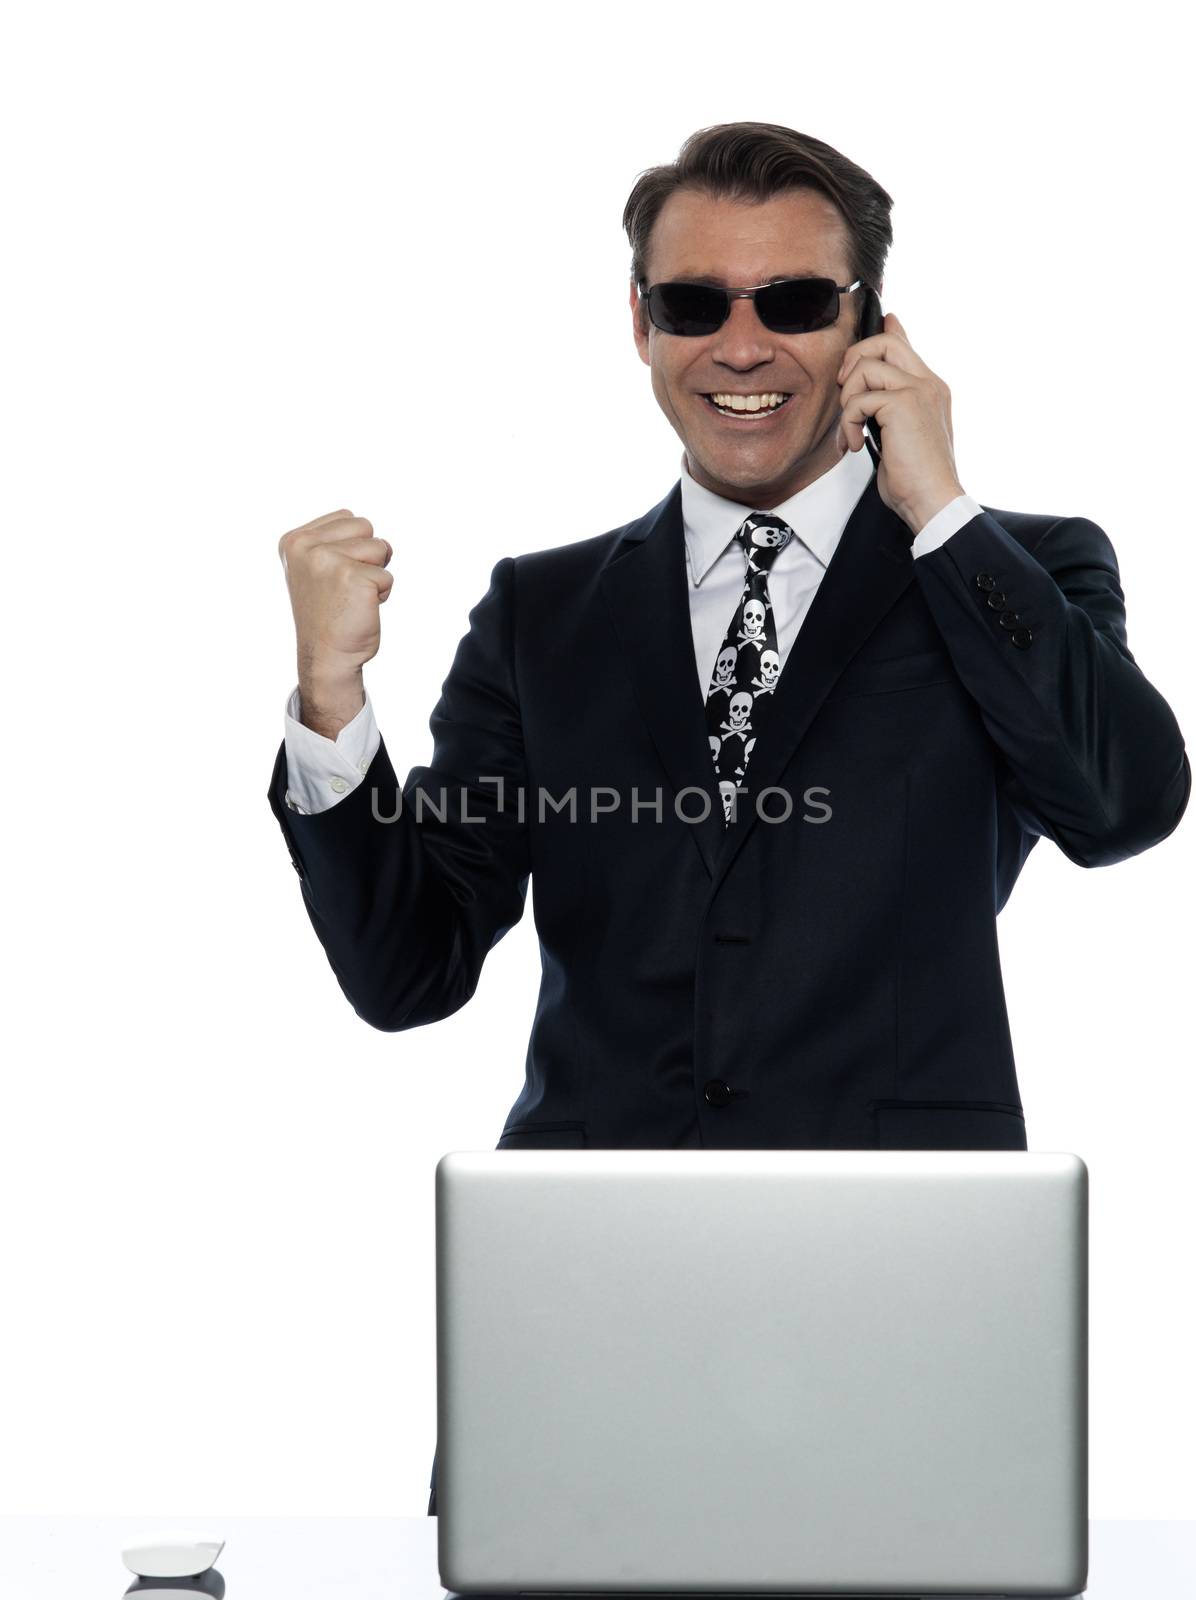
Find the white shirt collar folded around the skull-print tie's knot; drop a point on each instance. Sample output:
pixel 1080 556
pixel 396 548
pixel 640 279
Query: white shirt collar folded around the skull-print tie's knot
pixel 818 514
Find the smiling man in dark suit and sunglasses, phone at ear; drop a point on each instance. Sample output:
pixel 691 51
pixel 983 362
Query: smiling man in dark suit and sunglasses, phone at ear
pixel 775 751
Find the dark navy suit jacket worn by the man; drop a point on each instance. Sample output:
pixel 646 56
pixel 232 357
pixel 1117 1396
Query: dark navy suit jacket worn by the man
pixel 831 980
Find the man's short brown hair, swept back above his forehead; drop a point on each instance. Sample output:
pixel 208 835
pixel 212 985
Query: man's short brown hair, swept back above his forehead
pixel 757 161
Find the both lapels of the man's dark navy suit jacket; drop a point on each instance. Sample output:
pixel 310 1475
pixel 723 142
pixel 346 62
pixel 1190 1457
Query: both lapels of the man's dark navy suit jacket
pixel 648 593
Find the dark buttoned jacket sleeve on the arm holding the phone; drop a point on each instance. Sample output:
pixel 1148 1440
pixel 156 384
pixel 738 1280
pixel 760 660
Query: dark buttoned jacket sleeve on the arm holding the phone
pixel 1093 756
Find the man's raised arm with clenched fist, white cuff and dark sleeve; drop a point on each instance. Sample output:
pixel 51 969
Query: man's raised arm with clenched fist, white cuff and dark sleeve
pixel 407 889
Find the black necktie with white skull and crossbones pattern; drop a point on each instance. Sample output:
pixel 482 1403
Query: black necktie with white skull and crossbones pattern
pixel 747 666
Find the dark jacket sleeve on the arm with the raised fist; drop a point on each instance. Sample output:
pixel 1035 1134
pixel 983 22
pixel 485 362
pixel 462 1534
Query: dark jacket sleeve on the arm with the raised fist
pixel 409 890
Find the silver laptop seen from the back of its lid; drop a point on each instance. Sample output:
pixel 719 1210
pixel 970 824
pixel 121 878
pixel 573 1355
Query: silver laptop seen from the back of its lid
pixel 762 1372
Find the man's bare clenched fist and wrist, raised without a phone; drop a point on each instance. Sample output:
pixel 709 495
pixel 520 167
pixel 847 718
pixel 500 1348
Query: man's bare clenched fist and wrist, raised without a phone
pixel 337 578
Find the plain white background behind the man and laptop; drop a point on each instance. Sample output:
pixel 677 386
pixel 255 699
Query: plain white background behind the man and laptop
pixel 239 244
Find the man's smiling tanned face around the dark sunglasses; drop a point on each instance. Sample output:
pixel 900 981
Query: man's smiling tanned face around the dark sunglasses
pixel 740 244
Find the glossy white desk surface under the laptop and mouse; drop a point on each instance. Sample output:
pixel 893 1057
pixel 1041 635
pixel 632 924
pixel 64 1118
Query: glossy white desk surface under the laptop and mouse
pixel 396 1558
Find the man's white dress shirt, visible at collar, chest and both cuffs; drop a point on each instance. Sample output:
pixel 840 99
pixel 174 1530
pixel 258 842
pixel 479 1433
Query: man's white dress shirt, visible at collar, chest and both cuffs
pixel 321 770
